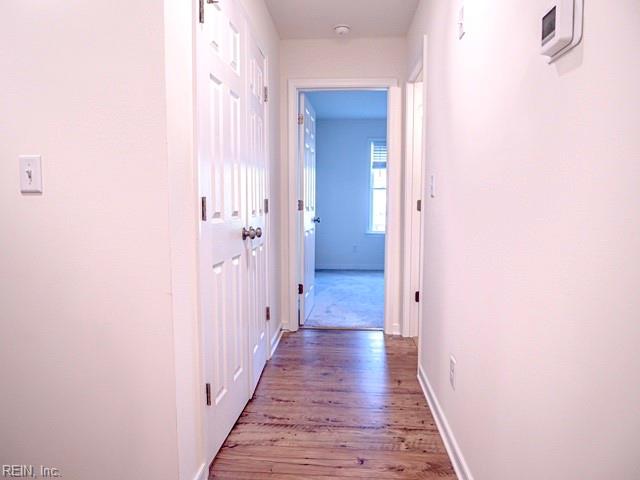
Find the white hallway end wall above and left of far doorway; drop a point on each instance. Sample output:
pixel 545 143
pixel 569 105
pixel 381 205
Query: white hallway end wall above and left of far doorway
pixel 328 59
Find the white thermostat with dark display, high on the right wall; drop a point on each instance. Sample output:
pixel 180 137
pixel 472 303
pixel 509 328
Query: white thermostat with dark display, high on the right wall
pixel 561 27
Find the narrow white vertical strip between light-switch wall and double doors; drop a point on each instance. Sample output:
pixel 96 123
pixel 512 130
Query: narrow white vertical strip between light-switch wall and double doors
pixel 183 226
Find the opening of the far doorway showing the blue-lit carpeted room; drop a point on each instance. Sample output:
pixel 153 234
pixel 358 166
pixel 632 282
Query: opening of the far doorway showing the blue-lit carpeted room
pixel 344 157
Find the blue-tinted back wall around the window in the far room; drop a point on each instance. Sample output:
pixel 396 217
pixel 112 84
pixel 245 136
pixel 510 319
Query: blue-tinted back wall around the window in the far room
pixel 343 167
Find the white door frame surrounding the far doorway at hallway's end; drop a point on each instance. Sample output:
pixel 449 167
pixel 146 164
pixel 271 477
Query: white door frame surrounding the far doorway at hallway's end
pixel 393 242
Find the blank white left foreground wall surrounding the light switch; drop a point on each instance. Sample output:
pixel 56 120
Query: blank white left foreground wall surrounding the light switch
pixel 86 349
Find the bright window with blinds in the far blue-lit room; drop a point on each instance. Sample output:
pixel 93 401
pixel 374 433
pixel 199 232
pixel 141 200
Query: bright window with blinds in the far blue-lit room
pixel 378 204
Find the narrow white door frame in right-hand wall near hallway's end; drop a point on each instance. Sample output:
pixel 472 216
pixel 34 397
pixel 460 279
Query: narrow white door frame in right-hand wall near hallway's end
pixel 414 163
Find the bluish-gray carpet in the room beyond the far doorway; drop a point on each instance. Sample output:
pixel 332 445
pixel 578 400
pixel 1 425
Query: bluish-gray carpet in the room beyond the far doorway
pixel 348 299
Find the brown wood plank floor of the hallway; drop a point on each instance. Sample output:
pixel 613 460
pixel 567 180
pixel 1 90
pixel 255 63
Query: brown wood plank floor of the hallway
pixel 336 404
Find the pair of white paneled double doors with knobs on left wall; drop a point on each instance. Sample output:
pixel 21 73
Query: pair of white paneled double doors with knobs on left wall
pixel 231 171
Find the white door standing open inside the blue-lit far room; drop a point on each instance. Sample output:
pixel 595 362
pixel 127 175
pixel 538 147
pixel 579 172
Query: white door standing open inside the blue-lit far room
pixel 308 152
